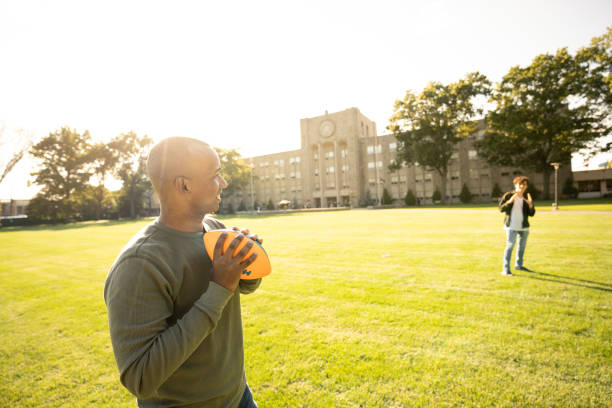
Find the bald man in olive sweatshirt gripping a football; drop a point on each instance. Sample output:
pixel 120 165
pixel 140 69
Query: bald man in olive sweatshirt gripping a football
pixel 174 314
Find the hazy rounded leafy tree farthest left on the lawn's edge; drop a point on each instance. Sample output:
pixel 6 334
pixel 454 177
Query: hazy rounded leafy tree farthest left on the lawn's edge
pixel 64 168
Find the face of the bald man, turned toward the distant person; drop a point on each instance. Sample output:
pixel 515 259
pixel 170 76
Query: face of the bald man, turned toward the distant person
pixel 207 183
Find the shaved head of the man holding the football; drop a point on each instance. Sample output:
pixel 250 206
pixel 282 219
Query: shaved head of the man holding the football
pixel 186 175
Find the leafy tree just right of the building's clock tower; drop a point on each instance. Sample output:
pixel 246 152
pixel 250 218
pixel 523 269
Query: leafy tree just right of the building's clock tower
pixel 429 125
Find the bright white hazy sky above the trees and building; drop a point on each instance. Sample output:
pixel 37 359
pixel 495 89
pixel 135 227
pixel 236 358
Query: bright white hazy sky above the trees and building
pixel 241 74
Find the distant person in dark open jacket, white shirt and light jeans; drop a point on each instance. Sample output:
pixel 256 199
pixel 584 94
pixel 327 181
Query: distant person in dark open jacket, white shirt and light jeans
pixel 518 208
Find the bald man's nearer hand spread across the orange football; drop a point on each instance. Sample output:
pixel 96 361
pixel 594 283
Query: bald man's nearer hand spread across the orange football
pixel 227 269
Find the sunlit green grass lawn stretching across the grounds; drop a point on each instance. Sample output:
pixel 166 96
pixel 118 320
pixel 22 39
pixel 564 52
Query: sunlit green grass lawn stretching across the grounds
pixel 371 308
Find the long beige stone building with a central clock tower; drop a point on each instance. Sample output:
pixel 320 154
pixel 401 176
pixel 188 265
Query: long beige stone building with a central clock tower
pixel 342 162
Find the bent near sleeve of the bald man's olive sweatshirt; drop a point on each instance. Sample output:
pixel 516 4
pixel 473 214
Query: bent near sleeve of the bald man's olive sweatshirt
pixel 148 350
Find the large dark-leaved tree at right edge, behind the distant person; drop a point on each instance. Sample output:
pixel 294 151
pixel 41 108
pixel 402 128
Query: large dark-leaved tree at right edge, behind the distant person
pixel 557 105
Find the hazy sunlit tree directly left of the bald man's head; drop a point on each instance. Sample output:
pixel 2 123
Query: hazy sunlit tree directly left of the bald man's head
pixel 132 151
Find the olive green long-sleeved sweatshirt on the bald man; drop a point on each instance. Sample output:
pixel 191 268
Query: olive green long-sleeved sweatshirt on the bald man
pixel 177 336
